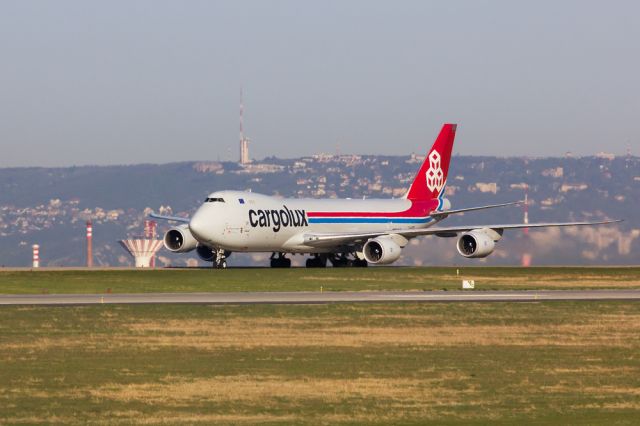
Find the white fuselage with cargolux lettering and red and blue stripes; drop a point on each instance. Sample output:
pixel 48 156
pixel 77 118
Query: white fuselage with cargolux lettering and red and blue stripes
pixel 249 222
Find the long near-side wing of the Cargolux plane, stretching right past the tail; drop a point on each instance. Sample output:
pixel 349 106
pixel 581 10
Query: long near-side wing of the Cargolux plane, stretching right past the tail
pixel 331 239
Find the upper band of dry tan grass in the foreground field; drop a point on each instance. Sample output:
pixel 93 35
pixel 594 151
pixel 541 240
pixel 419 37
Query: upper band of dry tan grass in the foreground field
pixel 246 333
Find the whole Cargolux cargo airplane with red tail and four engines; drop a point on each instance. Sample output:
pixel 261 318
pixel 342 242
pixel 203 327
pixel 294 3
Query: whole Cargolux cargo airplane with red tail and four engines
pixel 344 232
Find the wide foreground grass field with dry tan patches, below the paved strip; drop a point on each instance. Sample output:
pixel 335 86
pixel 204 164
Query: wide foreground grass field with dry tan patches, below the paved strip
pixel 476 363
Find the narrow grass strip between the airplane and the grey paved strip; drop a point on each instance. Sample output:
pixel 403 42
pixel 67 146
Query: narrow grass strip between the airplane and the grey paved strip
pixel 336 279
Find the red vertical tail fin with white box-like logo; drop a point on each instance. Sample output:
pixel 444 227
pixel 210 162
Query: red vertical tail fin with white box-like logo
pixel 432 176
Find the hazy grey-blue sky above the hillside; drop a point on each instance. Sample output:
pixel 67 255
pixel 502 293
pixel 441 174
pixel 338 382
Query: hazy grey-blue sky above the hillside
pixel 111 82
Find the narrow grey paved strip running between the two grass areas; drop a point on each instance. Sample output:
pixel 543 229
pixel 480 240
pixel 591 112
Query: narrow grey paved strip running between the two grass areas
pixel 318 297
